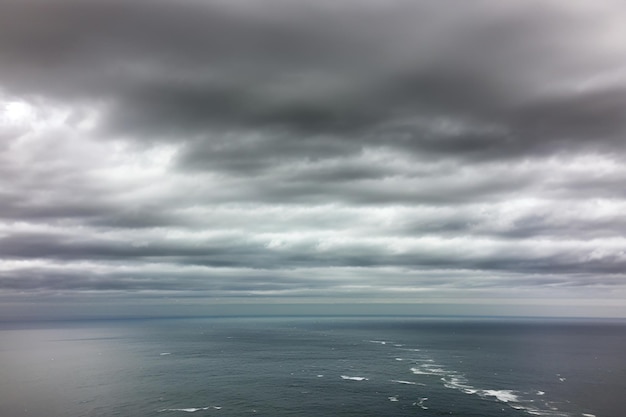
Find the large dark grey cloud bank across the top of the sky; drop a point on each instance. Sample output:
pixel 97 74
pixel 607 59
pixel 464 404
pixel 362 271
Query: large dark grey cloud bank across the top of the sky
pixel 412 75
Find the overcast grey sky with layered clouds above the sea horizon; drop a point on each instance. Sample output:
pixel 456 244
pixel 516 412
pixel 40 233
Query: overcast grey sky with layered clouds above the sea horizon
pixel 171 157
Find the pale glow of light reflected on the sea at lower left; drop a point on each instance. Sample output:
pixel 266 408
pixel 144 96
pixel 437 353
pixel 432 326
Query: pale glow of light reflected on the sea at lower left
pixel 52 370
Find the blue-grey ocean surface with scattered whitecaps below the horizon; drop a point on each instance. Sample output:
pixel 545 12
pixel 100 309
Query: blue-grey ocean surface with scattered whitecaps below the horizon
pixel 314 367
